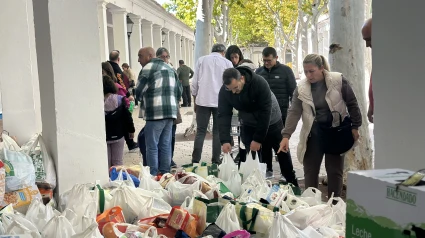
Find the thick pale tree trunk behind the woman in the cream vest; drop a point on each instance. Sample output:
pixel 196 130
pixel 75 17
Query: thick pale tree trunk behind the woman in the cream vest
pixel 346 20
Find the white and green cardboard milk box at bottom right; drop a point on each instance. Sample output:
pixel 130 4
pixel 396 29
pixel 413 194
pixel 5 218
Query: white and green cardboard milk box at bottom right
pixel 375 208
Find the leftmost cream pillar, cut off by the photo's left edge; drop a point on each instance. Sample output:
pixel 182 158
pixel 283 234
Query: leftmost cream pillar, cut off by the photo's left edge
pixel 18 64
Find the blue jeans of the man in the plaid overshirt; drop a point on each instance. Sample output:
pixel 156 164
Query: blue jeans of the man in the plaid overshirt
pixel 158 145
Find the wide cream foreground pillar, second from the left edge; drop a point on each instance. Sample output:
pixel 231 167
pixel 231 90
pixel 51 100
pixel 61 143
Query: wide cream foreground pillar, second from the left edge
pixel 71 104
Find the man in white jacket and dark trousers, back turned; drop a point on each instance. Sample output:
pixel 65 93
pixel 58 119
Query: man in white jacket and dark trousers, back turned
pixel 206 85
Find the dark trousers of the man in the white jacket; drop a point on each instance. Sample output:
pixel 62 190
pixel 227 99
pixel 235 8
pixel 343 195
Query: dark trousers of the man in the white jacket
pixel 203 115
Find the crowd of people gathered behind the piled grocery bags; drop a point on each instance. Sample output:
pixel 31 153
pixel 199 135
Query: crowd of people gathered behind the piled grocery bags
pixel 268 100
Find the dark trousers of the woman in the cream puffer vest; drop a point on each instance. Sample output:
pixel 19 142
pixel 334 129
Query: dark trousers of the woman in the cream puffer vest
pixel 313 158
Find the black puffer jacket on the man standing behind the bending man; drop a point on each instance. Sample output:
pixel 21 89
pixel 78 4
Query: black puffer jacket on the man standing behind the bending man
pixel 282 82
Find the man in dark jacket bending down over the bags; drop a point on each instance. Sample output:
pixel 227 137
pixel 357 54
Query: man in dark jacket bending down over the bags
pixel 259 112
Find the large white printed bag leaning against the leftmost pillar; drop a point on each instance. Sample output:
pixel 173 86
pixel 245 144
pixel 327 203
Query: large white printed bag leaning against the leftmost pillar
pixel 20 172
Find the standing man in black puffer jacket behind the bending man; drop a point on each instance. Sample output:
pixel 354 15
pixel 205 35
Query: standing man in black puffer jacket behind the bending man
pixel 282 83
